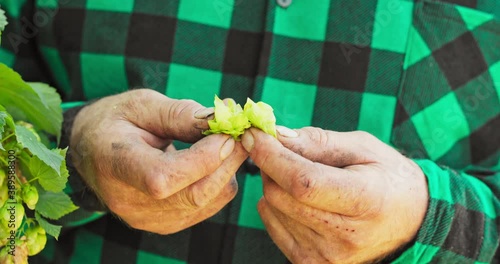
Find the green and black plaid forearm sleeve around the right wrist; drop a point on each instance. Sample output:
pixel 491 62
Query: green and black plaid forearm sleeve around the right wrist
pixel 461 221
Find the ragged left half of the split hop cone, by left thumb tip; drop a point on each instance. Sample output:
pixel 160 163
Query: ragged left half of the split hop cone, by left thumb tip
pixel 228 119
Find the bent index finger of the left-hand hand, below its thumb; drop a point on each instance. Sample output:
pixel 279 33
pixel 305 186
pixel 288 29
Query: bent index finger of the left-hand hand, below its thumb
pixel 161 174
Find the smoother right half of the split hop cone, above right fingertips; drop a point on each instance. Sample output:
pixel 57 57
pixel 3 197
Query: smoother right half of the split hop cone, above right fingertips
pixel 261 115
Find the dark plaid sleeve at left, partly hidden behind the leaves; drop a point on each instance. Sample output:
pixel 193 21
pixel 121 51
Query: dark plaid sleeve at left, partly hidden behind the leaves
pixel 19 51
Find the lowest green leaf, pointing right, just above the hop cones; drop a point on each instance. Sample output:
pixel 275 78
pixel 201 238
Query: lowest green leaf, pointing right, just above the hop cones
pixel 54 205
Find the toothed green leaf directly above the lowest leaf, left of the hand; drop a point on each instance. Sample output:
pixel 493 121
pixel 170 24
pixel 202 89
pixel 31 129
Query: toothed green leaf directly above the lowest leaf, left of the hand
pixel 48 178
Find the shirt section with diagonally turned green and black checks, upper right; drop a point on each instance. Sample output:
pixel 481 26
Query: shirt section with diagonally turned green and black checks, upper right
pixel 448 103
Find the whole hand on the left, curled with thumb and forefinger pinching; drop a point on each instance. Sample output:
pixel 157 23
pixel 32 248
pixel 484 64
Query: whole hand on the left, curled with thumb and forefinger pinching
pixel 118 147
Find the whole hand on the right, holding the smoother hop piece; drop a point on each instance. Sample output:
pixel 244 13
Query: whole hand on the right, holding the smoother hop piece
pixel 332 197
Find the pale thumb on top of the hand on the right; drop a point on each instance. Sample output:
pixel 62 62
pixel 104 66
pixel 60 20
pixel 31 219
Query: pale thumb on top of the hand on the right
pixel 339 149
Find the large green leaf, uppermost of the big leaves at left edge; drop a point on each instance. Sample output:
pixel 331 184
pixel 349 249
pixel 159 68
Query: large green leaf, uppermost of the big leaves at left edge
pixel 36 104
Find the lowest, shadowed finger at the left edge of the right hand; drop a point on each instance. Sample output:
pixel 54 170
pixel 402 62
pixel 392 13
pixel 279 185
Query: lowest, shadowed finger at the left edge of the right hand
pixel 281 237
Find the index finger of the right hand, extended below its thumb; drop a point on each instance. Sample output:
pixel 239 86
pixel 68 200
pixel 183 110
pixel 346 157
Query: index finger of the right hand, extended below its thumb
pixel 312 183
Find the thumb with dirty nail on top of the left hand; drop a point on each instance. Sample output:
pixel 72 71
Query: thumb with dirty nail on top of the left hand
pixel 165 117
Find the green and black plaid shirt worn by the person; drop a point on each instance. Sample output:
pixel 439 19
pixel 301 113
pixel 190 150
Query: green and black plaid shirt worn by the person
pixel 422 76
